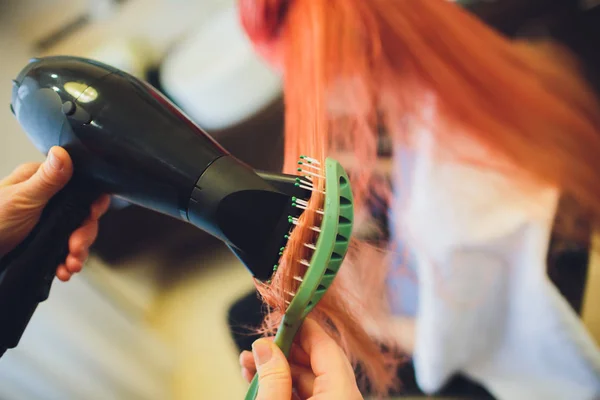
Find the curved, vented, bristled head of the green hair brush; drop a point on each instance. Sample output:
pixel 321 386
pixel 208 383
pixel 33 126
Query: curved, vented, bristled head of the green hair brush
pixel 325 234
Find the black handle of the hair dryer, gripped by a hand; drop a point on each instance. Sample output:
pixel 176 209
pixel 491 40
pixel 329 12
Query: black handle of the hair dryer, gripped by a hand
pixel 27 272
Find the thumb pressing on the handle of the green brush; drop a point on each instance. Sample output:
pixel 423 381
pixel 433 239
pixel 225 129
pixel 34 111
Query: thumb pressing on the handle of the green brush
pixel 274 376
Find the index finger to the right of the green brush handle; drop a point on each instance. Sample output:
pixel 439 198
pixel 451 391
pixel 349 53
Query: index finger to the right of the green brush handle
pixel 327 360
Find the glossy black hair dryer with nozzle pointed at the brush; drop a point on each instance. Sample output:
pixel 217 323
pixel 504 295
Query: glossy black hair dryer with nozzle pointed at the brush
pixel 126 139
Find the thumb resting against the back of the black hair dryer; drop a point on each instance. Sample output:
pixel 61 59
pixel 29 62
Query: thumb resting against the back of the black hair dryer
pixel 50 177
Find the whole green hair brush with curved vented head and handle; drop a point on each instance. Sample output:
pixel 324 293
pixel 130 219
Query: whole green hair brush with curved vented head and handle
pixel 333 238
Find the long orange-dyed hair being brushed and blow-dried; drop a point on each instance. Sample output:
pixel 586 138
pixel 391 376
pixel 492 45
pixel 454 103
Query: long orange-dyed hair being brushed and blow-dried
pixel 351 66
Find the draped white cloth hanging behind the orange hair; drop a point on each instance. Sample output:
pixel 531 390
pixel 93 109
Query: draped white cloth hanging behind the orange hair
pixel 486 307
